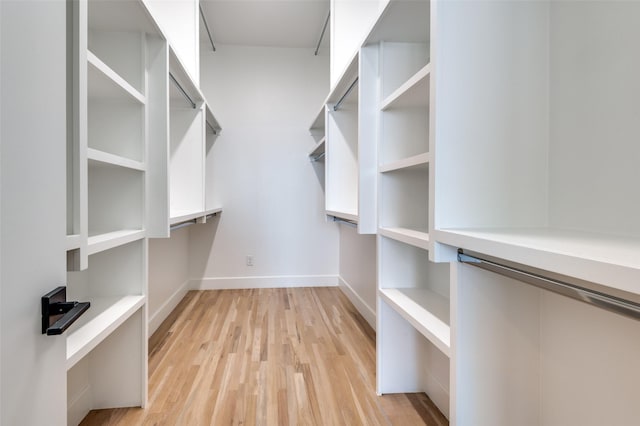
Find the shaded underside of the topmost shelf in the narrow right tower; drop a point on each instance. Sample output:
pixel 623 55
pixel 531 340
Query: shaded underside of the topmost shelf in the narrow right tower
pixel 402 21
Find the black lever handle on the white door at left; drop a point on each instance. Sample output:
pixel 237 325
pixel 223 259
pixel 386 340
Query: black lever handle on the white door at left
pixel 57 313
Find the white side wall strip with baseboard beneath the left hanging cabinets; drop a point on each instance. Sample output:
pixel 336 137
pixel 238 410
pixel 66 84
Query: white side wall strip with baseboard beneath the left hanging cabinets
pixel 168 275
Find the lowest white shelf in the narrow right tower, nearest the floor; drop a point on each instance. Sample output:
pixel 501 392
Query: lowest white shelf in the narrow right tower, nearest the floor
pixel 426 310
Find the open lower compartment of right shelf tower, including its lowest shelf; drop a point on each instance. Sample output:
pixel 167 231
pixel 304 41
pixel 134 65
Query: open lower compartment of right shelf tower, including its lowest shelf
pixel 413 322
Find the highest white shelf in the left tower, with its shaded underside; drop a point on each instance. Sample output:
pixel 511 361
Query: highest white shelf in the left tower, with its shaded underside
pixel 105 83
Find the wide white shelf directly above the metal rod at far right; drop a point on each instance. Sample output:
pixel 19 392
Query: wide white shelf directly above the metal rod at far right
pixel 611 261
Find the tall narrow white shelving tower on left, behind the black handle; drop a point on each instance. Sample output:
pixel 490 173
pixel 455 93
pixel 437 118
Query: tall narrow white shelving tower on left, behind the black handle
pixel 107 346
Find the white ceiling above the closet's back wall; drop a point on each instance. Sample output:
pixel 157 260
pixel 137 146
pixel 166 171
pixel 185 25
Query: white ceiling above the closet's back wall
pixel 286 23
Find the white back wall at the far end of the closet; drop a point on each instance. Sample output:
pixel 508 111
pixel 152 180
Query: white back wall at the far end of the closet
pixel 265 99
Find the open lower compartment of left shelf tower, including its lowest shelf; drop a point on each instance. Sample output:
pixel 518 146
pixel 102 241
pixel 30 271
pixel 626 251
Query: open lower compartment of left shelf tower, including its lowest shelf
pixel 106 347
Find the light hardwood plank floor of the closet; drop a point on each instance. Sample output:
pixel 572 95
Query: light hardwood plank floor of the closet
pixel 300 356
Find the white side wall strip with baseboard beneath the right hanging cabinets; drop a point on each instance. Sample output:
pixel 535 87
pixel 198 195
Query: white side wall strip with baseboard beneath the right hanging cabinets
pixel 358 270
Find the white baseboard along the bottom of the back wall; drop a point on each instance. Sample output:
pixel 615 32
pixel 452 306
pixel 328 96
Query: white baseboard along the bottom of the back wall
pixel 278 281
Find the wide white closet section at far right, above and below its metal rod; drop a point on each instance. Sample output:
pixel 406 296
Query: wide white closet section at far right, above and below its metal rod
pixel 542 176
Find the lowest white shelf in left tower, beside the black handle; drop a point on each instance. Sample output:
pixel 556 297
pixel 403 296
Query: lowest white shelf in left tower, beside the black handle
pixel 102 318
